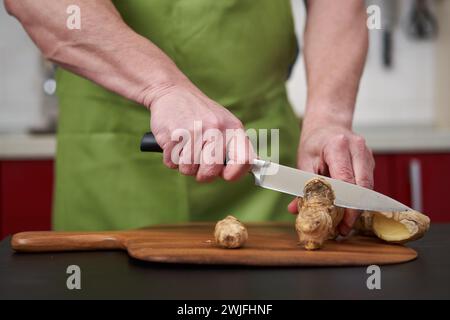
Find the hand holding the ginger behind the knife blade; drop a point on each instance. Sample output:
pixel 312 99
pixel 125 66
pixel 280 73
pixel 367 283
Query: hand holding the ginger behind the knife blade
pixel 337 152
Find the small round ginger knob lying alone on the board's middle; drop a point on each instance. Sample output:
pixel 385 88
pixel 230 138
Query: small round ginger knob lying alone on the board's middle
pixel 230 233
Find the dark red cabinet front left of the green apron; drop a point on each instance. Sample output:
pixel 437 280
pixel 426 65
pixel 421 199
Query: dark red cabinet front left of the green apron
pixel 26 191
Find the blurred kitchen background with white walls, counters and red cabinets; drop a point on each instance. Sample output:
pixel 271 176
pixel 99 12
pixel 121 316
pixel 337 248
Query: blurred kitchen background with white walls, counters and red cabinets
pixel 403 111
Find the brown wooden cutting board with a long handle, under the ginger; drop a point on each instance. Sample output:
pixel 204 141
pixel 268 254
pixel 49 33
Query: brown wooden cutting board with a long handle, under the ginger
pixel 269 244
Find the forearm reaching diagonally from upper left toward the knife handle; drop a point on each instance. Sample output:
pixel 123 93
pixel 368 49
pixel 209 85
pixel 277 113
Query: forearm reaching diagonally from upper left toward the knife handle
pixel 105 50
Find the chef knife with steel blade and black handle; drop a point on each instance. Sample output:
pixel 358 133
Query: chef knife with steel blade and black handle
pixel 284 179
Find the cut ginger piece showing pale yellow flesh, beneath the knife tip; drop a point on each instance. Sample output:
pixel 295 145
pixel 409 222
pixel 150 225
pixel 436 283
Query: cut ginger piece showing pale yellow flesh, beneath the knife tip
pixel 395 227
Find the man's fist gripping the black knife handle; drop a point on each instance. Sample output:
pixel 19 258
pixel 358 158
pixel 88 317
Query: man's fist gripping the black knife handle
pixel 179 107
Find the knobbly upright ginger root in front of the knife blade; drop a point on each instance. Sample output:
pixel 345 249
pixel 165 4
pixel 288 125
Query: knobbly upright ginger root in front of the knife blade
pixel 317 217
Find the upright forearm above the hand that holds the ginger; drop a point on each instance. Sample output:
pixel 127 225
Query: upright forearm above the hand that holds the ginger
pixel 336 41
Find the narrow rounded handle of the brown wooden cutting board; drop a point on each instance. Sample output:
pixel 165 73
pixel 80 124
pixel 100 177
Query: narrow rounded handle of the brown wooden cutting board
pixel 48 241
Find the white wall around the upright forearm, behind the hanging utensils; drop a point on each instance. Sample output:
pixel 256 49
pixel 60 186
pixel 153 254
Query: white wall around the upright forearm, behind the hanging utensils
pixel 403 95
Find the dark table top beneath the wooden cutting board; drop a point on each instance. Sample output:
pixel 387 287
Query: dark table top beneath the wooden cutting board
pixel 113 275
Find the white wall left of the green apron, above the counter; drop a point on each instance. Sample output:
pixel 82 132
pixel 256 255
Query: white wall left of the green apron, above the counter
pixel 20 77
